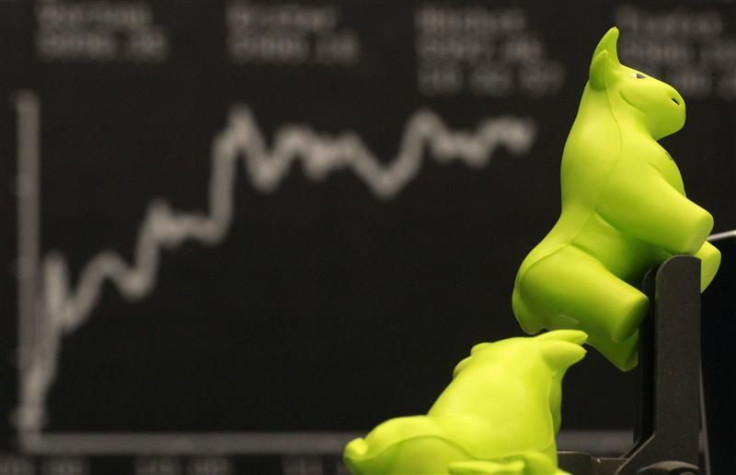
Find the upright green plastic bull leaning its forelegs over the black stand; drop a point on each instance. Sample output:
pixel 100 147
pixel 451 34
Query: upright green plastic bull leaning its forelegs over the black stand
pixel 624 211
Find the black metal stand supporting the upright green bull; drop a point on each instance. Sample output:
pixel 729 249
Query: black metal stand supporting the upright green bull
pixel 667 435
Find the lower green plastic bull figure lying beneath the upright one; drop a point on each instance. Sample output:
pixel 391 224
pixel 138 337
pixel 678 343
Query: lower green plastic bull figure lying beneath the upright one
pixel 499 415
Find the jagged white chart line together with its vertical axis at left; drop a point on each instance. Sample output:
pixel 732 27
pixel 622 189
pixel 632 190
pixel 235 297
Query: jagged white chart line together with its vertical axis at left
pixel 51 306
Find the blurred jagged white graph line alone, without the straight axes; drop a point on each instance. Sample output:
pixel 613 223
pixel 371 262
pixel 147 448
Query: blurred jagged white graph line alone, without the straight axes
pixel 65 308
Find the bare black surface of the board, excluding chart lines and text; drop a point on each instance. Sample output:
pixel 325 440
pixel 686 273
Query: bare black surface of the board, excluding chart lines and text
pixel 325 308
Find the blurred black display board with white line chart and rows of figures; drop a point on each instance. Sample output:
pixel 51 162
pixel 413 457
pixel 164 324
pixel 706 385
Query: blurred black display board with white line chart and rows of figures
pixel 237 231
